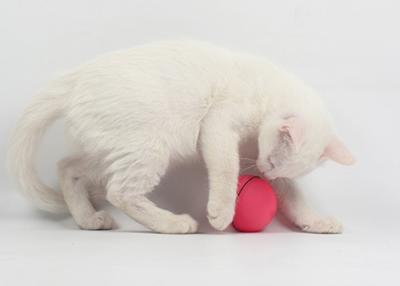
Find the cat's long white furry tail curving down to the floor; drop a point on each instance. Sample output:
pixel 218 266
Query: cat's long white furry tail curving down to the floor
pixel 44 110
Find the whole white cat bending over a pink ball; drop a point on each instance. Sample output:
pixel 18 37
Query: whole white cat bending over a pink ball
pixel 135 112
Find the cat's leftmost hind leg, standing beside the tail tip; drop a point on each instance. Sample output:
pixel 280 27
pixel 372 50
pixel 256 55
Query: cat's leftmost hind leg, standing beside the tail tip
pixel 75 183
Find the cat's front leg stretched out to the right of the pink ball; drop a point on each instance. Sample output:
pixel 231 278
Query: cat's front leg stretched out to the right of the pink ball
pixel 293 206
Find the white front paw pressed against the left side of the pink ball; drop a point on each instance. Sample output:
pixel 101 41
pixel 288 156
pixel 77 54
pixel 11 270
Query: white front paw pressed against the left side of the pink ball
pixel 220 215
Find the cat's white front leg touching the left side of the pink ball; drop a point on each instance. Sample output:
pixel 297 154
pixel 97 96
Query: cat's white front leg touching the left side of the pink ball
pixel 220 151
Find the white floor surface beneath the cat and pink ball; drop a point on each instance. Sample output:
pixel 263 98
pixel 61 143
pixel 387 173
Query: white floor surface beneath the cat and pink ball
pixel 40 250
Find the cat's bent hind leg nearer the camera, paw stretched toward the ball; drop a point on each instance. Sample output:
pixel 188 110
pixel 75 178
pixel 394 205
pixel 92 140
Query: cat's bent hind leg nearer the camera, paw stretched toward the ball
pixel 131 178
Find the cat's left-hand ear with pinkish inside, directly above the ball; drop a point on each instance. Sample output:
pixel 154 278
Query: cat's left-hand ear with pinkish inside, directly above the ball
pixel 294 128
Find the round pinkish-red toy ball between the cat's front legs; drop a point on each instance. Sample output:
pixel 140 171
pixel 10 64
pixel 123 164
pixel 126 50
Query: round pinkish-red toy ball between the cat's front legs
pixel 256 204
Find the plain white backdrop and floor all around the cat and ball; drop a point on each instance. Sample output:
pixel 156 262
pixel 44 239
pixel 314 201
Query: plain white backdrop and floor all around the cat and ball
pixel 348 50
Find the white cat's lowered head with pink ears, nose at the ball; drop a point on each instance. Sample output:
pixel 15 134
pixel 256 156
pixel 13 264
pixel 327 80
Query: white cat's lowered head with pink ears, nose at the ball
pixel 292 146
